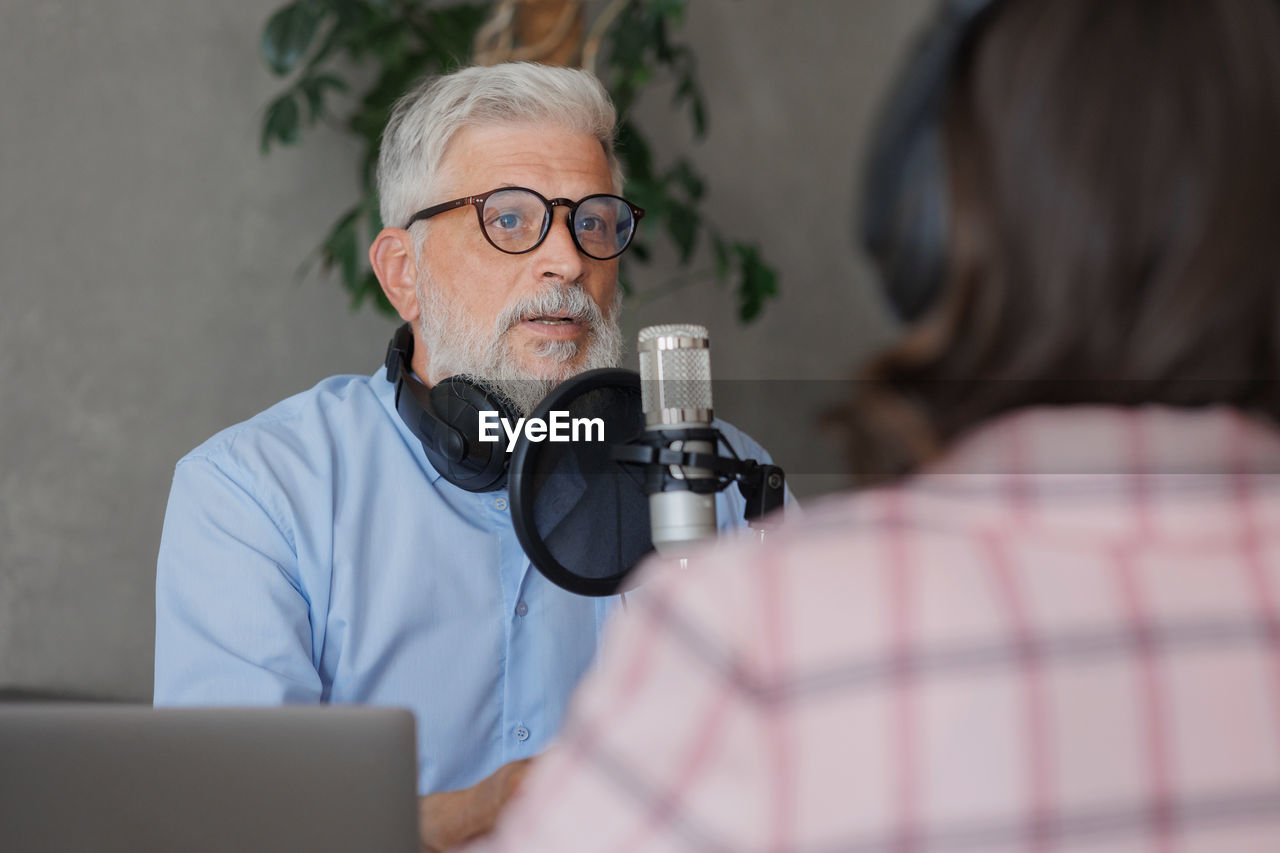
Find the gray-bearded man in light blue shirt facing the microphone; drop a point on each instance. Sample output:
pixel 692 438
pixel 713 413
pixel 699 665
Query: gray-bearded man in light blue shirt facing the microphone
pixel 316 554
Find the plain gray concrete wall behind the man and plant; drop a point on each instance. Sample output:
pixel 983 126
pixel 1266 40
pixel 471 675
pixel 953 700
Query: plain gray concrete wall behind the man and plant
pixel 148 258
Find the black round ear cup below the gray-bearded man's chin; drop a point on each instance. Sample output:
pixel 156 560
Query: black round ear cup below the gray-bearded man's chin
pixel 472 464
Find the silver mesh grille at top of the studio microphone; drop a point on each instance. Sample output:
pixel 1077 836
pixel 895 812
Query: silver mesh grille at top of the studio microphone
pixel 675 373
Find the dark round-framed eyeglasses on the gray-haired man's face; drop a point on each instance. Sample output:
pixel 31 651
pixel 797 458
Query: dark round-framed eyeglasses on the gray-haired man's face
pixel 516 221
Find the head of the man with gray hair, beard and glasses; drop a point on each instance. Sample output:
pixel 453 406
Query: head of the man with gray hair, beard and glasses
pixel 474 313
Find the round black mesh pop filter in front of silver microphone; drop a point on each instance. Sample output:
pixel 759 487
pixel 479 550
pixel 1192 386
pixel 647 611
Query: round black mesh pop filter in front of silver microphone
pixel 582 517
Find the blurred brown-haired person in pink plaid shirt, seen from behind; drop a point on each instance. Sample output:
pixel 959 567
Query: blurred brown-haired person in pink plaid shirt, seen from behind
pixel 1054 622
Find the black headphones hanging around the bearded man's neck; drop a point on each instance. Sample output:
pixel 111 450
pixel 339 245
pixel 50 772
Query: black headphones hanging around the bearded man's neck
pixel 446 418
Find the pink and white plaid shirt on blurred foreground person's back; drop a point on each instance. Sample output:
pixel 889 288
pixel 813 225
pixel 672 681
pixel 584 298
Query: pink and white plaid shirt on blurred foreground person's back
pixel 1064 638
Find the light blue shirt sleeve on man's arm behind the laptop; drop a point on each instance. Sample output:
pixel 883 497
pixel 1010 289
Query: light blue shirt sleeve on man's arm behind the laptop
pixel 232 619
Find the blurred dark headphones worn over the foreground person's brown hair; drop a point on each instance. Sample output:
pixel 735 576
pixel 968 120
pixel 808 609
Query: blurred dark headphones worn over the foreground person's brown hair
pixel 906 206
